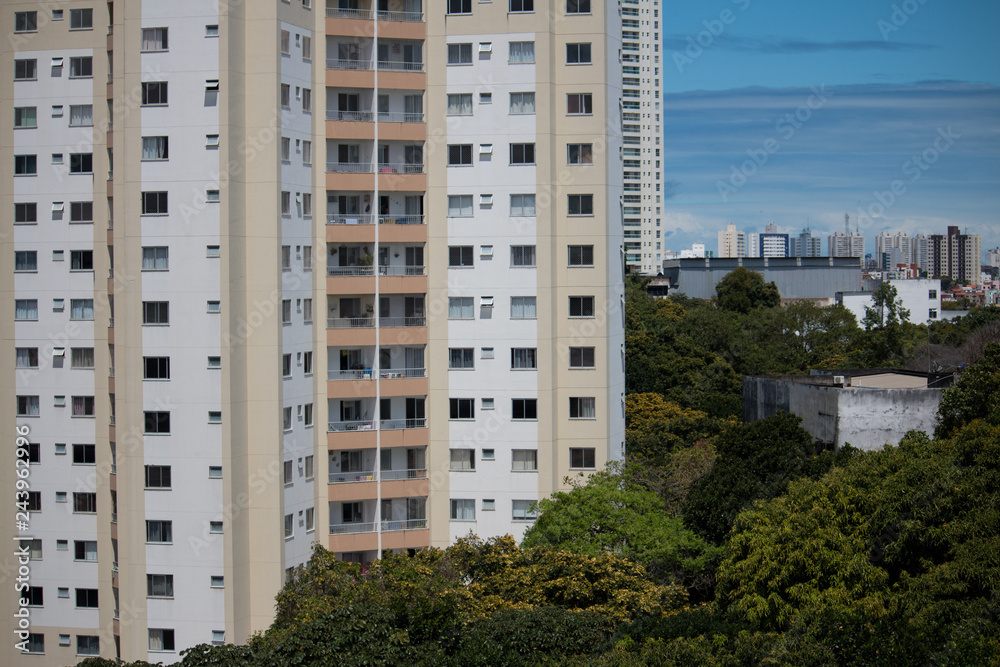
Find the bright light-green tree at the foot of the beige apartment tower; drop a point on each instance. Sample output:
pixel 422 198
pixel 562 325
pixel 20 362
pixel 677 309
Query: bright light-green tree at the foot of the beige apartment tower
pixel 612 514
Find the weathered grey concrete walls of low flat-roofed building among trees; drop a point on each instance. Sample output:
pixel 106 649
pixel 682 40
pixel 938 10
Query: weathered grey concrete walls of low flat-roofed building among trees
pixel 865 418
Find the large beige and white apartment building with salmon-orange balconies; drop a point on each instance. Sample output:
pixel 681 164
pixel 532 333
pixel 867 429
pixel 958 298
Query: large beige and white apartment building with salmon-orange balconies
pixel 175 305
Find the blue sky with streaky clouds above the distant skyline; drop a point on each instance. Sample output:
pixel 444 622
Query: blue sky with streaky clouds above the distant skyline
pixel 798 112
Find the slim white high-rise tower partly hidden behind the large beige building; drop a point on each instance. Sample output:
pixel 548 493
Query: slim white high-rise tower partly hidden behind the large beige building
pixel 642 135
